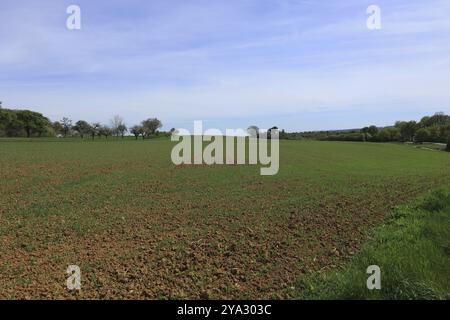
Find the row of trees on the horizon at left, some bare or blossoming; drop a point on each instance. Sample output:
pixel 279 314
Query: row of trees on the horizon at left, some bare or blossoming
pixel 26 123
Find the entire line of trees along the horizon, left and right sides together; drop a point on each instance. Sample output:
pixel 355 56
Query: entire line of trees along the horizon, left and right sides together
pixel 26 123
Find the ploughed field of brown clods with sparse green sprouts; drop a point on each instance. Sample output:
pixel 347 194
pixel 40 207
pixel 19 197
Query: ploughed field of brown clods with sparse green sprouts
pixel 140 227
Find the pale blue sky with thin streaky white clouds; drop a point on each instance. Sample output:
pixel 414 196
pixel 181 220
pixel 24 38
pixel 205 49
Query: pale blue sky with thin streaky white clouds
pixel 299 65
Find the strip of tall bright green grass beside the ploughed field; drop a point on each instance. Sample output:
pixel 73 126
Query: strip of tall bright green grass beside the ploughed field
pixel 412 250
